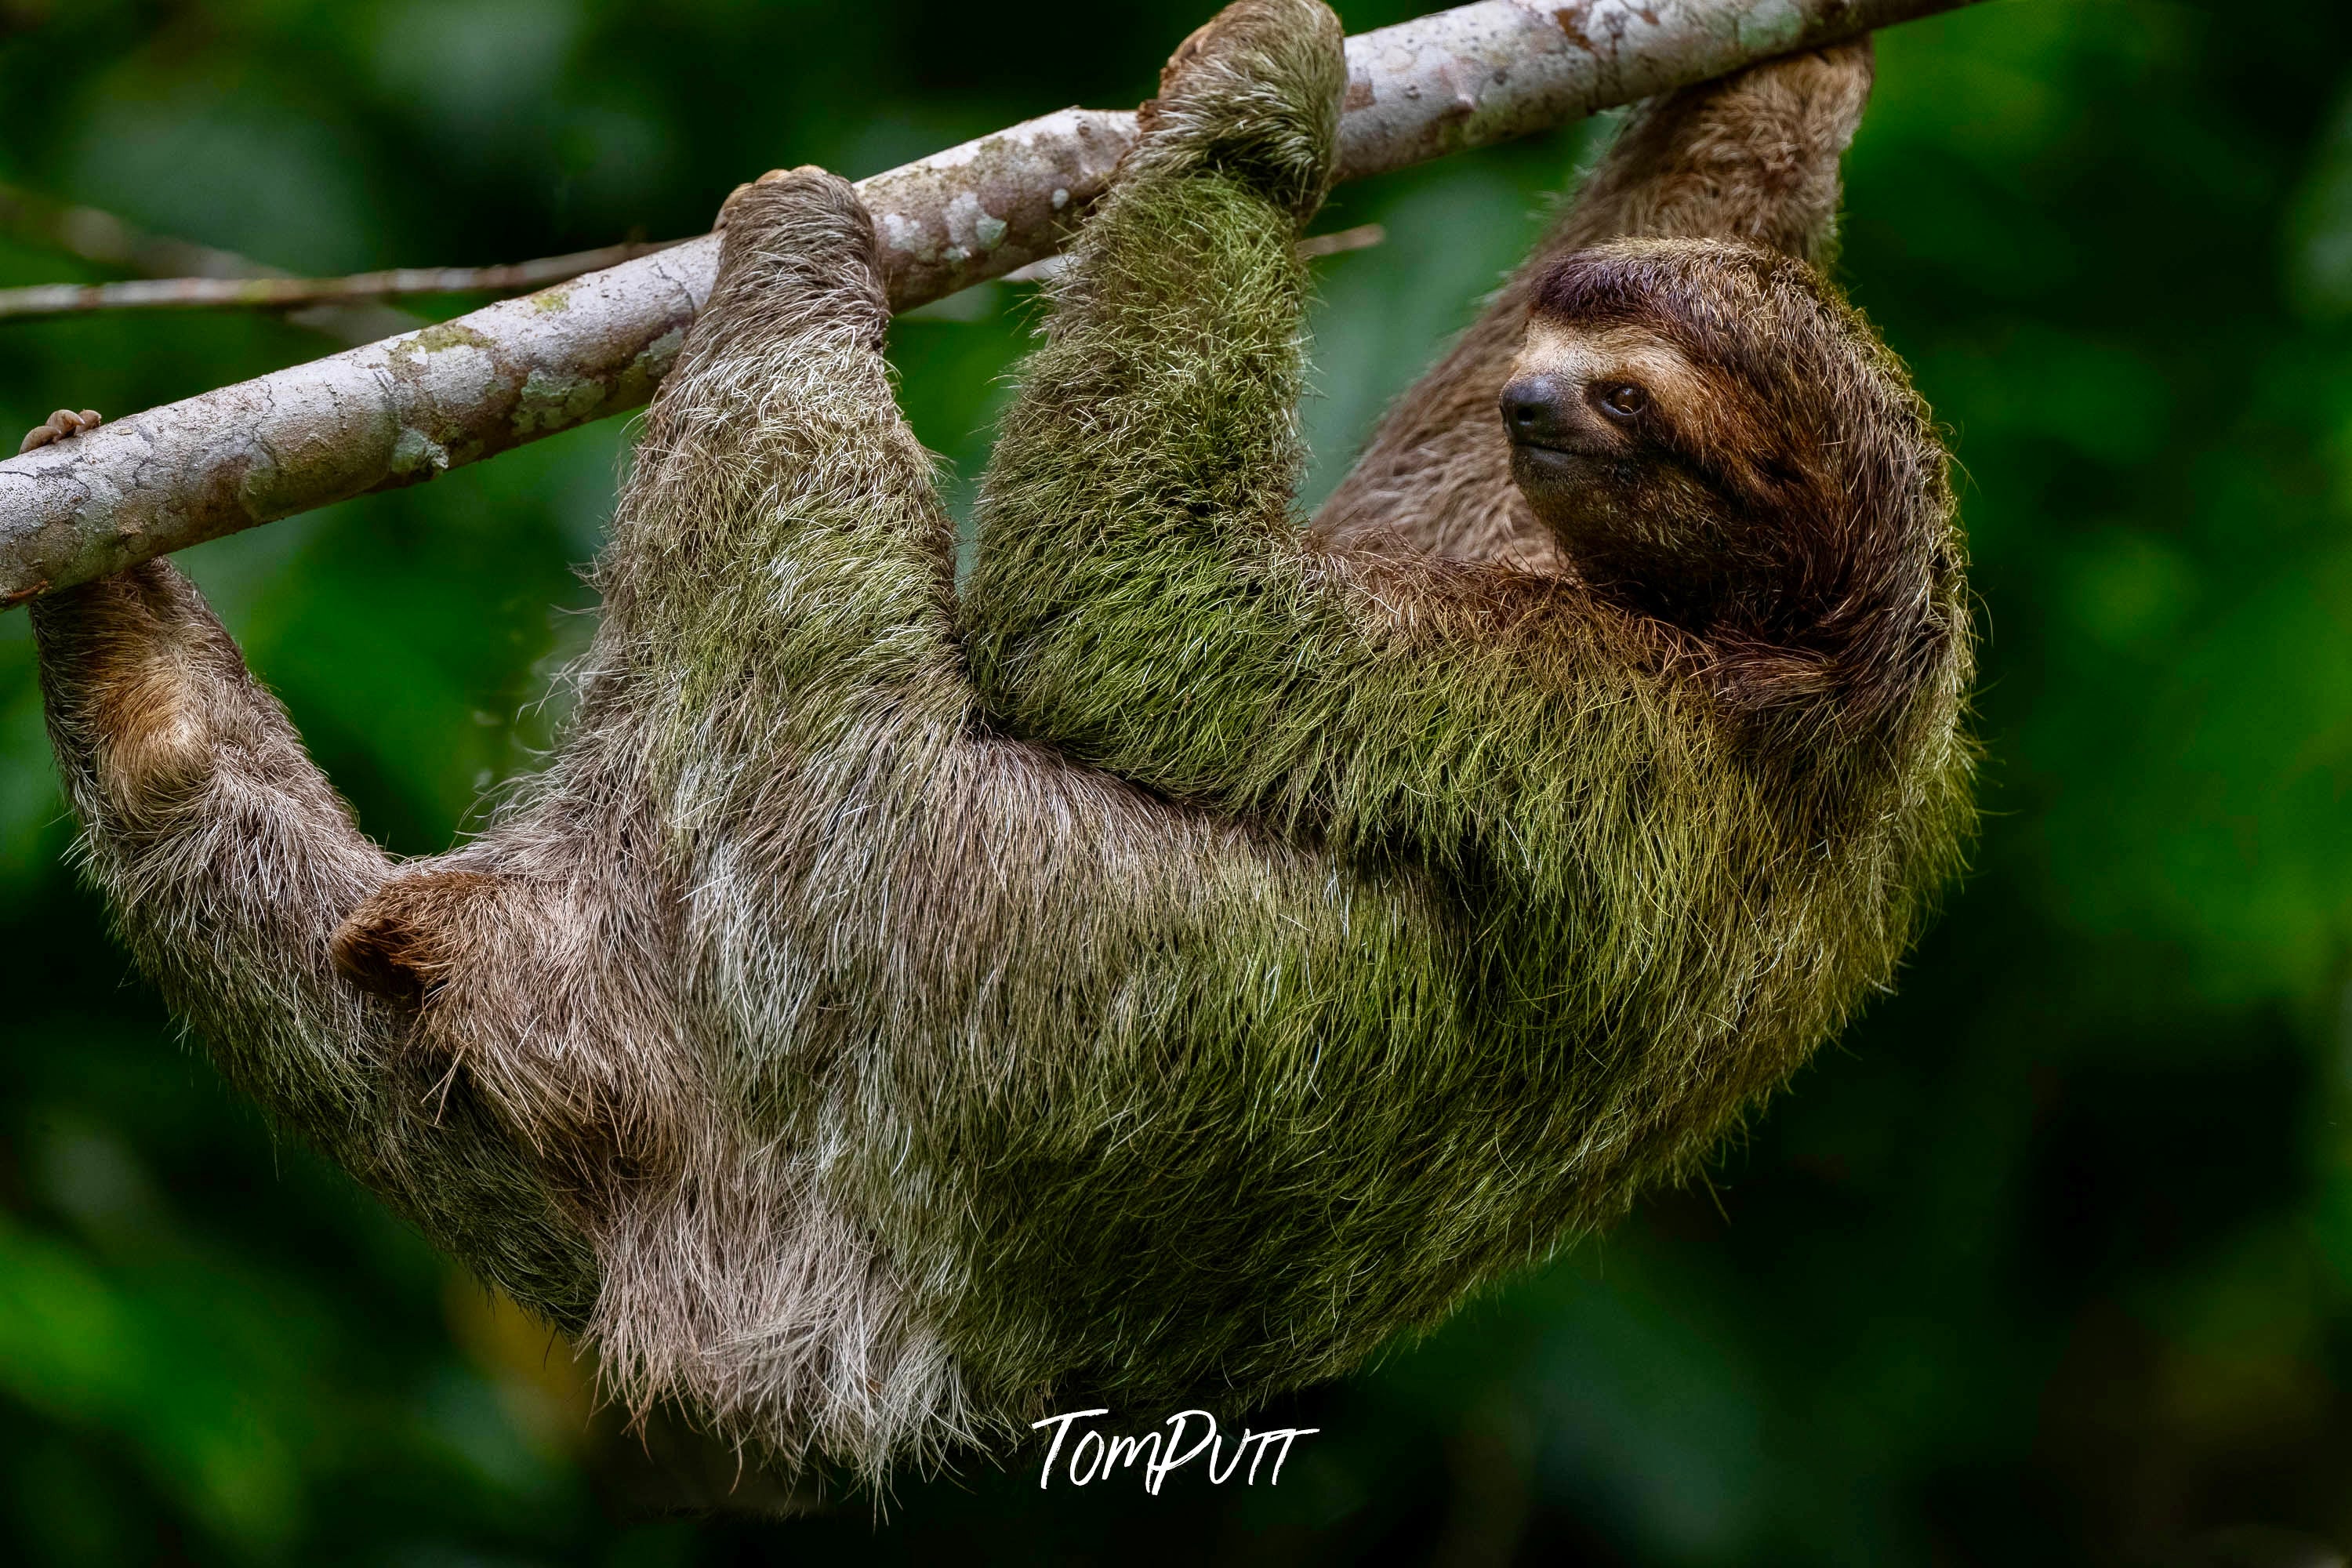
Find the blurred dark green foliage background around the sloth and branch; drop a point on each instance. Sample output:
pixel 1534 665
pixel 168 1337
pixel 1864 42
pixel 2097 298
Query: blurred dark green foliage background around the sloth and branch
pixel 2047 1264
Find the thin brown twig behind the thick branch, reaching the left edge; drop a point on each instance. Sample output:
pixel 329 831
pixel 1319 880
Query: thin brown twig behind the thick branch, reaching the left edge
pixel 281 293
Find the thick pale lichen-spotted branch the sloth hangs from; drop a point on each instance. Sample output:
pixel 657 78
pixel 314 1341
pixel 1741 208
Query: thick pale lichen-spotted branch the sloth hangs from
pixel 413 408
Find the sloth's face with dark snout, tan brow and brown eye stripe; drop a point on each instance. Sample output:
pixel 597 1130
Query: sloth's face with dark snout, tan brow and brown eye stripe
pixel 1610 429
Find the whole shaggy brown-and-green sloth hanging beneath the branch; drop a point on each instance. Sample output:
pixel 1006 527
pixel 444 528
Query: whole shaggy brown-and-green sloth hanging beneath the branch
pixel 1194 949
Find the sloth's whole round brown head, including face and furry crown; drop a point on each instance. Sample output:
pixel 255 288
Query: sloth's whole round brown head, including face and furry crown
pixel 1720 443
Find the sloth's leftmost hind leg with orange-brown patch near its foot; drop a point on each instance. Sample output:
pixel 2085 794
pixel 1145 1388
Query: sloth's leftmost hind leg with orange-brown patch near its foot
pixel 227 864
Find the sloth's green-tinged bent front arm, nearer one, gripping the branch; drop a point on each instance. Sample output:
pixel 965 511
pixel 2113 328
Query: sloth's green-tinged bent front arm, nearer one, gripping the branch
pixel 1142 601
